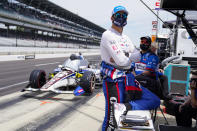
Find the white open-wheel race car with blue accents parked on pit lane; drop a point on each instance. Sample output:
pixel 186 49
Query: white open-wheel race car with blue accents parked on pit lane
pixel 75 72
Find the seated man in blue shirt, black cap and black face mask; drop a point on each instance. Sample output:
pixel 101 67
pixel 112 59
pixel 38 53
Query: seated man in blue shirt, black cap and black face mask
pixel 147 68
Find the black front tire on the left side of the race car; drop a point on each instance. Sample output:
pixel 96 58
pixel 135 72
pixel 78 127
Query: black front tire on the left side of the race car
pixel 37 79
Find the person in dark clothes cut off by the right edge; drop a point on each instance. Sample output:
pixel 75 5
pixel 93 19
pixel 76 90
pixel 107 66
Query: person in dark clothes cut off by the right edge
pixel 188 110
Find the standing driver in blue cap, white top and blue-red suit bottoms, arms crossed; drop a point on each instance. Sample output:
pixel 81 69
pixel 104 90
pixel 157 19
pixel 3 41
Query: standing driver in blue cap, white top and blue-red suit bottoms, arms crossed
pixel 119 85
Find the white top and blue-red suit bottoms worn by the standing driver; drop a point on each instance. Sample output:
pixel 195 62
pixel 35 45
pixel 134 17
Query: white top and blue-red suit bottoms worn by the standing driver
pixel 117 53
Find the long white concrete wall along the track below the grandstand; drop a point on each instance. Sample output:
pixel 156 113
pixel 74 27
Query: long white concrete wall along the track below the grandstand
pixel 24 53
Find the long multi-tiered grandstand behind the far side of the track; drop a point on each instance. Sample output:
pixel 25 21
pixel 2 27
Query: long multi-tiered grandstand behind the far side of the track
pixel 41 23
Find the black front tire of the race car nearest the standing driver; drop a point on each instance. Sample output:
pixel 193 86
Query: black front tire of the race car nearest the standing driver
pixel 87 82
